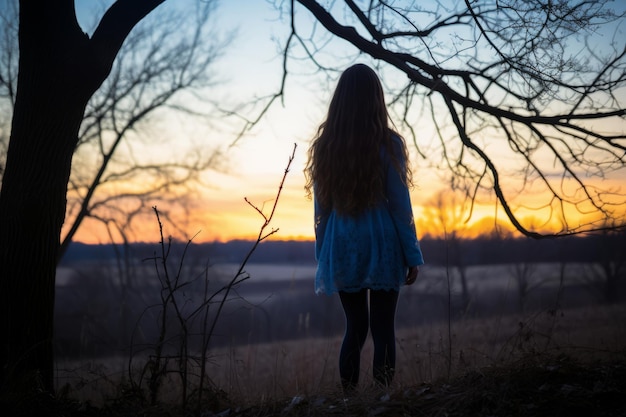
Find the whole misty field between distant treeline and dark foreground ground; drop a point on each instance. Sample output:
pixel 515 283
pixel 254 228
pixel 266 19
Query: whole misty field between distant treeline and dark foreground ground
pixel 277 339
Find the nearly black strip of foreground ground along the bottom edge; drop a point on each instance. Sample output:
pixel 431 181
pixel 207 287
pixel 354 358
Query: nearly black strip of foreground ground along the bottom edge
pixel 556 386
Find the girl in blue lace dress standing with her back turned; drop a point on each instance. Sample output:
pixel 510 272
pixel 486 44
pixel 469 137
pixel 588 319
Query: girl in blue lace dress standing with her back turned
pixel 366 245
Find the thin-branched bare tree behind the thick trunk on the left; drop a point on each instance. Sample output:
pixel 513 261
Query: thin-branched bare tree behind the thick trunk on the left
pixel 156 73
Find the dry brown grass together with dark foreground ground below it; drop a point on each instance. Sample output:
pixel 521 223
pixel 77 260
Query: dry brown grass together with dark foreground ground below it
pixel 550 363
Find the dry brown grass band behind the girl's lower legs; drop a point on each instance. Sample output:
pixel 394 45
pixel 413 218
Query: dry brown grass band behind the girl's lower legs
pixel 258 372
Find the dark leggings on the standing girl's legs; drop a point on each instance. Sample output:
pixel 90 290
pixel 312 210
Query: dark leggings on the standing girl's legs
pixel 379 317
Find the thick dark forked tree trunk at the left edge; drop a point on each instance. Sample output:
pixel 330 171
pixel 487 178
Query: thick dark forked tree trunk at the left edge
pixel 59 70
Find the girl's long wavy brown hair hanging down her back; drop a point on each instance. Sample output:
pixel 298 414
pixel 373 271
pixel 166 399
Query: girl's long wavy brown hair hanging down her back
pixel 344 160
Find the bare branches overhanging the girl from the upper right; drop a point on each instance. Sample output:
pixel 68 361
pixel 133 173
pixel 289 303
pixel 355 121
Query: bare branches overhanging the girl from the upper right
pixel 522 95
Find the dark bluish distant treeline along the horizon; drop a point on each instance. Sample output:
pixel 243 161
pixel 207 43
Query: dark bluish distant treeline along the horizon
pixel 481 251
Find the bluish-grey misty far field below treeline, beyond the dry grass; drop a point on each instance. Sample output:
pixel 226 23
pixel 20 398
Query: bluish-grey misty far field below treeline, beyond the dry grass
pixel 98 315
